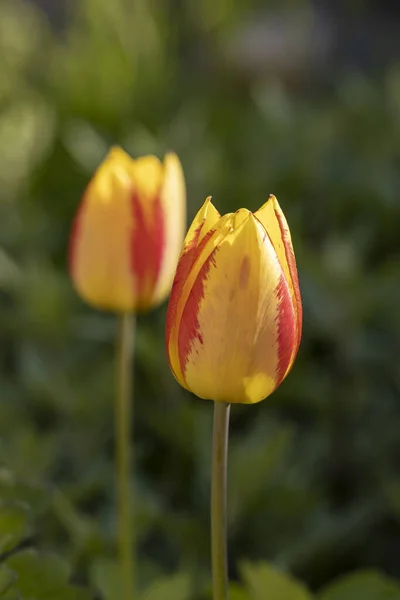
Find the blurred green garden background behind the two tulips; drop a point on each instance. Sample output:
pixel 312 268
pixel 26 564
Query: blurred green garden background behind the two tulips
pixel 297 98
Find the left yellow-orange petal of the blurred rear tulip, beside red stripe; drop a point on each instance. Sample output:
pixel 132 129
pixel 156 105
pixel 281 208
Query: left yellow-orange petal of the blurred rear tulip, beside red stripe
pixel 100 260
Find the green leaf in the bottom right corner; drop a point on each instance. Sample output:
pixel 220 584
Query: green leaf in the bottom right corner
pixel 368 585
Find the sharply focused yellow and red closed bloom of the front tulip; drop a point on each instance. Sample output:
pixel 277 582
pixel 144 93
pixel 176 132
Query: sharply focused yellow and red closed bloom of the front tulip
pixel 235 316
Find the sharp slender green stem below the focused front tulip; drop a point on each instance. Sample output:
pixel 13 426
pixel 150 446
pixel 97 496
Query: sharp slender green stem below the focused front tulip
pixel 218 501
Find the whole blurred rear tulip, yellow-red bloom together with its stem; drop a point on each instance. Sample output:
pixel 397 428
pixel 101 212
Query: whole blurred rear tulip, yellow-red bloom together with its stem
pixel 124 249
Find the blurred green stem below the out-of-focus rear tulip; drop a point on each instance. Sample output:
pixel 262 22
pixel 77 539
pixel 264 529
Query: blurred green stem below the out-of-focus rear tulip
pixel 123 423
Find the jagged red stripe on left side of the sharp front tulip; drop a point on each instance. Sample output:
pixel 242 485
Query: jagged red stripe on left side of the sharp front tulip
pixel 189 326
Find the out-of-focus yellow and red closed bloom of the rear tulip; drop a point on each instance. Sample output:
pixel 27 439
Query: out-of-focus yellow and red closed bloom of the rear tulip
pixel 128 232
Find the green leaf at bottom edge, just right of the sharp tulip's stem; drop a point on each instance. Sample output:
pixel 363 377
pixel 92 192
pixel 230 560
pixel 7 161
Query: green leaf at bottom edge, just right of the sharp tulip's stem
pixel 264 582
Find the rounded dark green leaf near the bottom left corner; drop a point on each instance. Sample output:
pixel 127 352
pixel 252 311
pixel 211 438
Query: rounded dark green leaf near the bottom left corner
pixel 40 576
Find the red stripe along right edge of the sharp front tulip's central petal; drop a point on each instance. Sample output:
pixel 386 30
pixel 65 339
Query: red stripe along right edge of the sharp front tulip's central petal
pixel 287 335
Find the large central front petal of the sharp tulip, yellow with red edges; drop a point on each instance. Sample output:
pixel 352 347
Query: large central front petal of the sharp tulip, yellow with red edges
pixel 237 327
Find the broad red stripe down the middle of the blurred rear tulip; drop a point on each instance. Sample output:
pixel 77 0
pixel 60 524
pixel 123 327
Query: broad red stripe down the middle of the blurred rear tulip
pixel 147 246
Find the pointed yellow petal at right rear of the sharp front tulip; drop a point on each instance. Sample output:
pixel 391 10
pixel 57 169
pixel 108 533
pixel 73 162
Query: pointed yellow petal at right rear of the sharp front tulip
pixel 272 218
